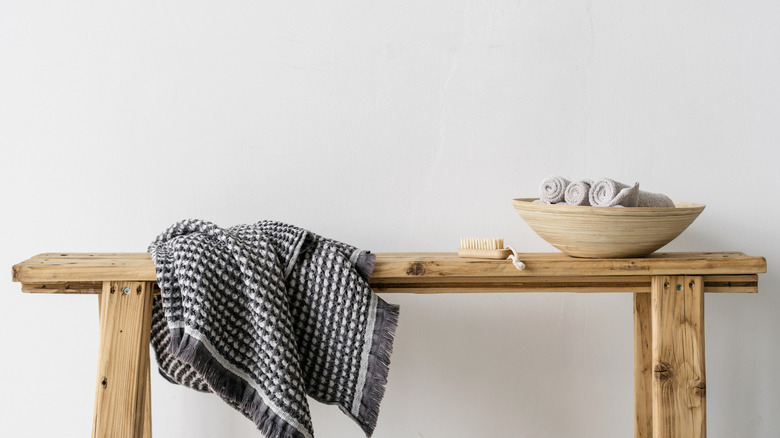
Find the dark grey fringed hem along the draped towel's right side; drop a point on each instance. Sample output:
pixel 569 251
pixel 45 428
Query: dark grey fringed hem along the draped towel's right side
pixel 378 365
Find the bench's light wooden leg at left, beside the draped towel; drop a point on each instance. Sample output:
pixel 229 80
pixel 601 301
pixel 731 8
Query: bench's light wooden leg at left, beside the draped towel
pixel 122 394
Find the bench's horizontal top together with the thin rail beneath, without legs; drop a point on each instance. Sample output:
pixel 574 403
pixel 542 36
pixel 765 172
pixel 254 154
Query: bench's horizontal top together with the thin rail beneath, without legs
pixel 413 272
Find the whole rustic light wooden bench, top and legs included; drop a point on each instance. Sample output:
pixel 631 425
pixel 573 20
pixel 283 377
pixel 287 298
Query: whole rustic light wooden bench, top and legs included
pixel 669 370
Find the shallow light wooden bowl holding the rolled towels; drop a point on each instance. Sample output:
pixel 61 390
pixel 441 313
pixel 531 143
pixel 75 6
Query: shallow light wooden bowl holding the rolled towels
pixel 607 232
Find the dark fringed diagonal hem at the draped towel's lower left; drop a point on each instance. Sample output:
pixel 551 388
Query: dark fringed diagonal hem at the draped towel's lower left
pixel 232 386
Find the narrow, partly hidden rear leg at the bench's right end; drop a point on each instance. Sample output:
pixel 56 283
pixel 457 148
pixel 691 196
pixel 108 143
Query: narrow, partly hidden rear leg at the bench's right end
pixel 643 366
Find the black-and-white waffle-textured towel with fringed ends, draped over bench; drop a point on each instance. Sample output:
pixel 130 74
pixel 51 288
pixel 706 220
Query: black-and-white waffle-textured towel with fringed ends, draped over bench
pixel 265 314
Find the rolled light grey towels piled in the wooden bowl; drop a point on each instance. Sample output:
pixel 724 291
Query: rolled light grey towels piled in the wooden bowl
pixel 602 193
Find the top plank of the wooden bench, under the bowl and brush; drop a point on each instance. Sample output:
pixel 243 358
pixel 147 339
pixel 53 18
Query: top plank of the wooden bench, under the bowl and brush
pixel 422 266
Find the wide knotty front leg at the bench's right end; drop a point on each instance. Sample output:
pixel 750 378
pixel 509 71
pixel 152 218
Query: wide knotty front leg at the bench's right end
pixel 679 389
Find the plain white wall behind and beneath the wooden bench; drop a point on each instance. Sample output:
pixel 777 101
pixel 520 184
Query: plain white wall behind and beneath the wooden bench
pixel 395 126
